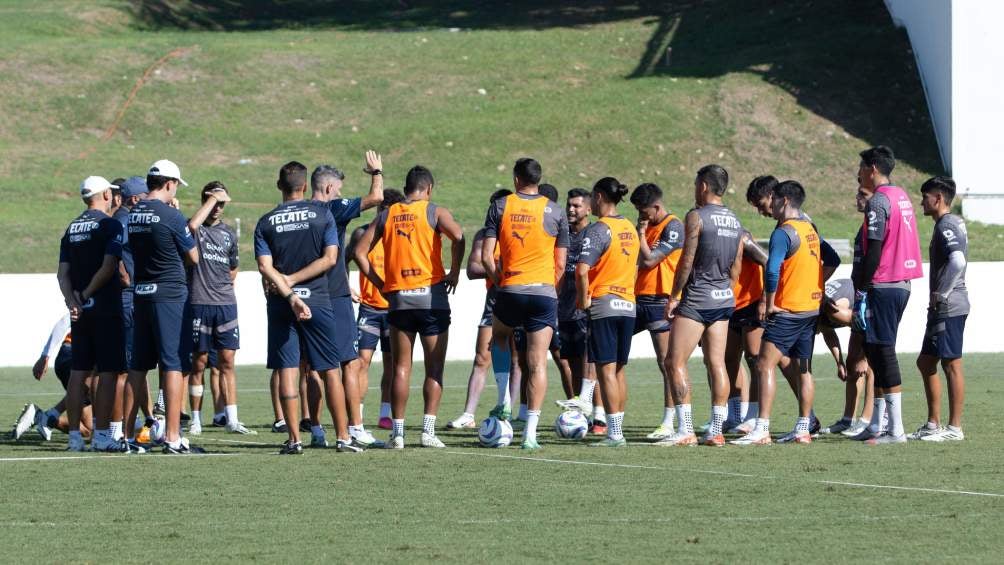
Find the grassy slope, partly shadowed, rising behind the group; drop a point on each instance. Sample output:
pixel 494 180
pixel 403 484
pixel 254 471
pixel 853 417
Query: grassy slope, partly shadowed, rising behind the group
pixel 784 95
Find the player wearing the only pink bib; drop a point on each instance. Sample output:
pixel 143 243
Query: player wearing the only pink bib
pixel 892 259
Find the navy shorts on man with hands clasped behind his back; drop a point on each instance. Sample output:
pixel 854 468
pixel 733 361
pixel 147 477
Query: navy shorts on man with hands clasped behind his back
pixel 287 335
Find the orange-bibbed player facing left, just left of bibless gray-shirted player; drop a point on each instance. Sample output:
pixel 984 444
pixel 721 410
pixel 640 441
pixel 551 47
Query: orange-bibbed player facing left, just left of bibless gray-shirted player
pixel 662 242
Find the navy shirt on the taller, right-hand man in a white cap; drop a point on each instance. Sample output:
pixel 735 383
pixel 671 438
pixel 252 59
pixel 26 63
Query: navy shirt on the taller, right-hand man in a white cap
pixel 159 238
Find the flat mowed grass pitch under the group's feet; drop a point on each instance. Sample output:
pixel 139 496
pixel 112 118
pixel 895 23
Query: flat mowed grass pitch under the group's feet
pixel 834 500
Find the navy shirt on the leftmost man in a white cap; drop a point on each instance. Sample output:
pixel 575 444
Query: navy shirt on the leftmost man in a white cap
pixel 88 239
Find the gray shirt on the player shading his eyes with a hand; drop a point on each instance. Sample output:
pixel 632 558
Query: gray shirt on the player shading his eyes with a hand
pixel 209 279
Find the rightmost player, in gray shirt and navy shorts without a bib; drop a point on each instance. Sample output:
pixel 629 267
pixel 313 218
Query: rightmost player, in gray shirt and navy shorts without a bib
pixel 947 312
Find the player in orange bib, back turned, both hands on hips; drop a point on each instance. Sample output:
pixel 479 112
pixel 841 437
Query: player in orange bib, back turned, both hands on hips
pixel 417 289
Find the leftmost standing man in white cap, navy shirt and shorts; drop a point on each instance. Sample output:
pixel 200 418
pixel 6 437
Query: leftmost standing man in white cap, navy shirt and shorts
pixel 90 253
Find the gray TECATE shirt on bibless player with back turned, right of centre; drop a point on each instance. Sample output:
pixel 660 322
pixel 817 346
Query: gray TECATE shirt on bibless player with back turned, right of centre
pixel 710 285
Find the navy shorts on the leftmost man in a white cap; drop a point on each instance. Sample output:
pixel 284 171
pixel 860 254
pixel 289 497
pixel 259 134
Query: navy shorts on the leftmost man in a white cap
pixel 99 344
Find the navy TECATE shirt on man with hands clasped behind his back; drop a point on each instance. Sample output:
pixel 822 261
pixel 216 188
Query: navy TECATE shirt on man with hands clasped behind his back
pixel 296 234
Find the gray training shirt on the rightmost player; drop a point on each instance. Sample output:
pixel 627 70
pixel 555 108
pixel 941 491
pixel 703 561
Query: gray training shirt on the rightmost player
pixel 948 274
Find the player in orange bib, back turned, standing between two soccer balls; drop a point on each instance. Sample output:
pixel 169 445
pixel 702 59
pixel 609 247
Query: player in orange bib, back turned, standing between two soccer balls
pixel 533 234
